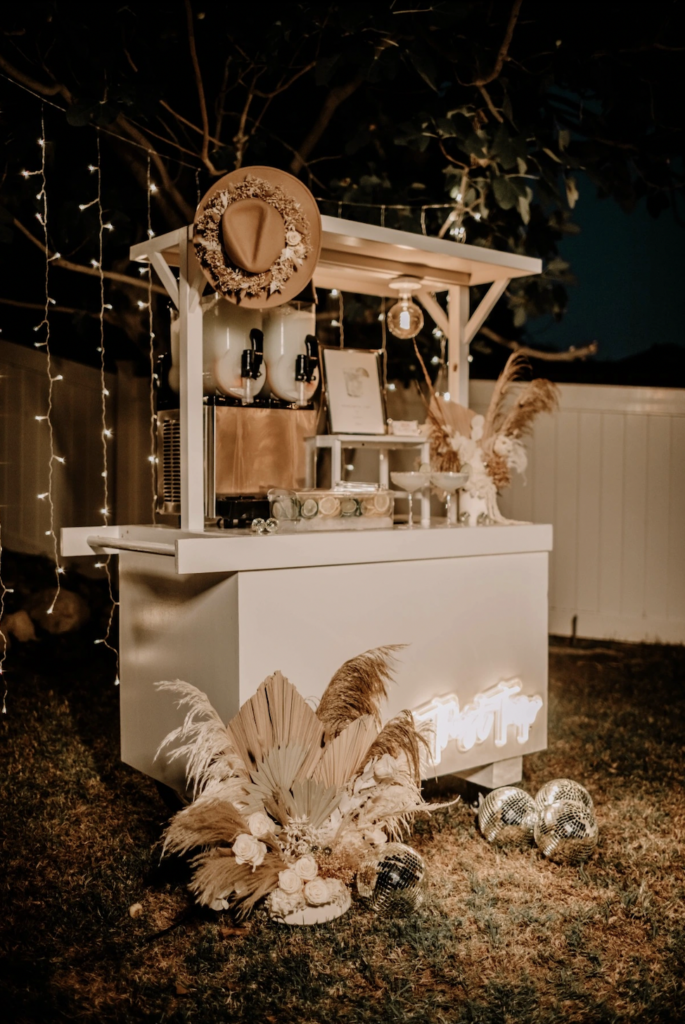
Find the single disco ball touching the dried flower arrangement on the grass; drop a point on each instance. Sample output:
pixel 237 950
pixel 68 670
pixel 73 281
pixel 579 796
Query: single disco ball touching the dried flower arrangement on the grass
pixel 393 880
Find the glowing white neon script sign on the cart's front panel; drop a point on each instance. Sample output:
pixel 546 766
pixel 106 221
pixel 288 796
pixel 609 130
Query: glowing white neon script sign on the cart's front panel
pixel 492 713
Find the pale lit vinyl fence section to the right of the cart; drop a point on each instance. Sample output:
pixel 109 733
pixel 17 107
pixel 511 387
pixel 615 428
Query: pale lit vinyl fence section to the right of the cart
pixel 609 472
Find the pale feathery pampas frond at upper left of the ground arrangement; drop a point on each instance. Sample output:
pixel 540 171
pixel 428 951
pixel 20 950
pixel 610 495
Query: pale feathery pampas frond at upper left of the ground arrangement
pixel 204 742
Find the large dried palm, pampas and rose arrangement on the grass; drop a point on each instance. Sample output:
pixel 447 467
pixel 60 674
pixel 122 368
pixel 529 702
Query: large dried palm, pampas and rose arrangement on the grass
pixel 290 802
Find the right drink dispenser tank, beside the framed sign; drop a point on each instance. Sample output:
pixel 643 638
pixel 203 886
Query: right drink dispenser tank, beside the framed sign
pixel 291 353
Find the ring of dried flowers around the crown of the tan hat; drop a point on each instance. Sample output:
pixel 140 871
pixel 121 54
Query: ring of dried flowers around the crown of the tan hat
pixel 231 280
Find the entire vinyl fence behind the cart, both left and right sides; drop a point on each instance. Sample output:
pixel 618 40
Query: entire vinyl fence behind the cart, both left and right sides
pixel 608 472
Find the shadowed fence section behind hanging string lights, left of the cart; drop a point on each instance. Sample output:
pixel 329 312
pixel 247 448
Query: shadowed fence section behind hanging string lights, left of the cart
pixel 78 483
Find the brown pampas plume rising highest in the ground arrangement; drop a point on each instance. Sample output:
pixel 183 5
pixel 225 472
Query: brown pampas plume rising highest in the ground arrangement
pixel 358 689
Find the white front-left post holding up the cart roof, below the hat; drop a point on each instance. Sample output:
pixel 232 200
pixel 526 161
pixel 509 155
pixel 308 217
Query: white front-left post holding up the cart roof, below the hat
pixel 193 476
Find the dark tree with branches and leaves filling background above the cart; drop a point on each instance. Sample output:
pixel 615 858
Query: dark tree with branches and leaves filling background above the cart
pixel 500 104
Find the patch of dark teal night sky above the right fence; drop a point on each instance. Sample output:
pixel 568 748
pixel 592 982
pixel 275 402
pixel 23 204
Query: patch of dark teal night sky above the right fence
pixel 631 281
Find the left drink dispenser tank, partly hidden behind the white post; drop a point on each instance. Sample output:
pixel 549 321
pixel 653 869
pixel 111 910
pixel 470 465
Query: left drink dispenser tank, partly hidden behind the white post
pixel 233 351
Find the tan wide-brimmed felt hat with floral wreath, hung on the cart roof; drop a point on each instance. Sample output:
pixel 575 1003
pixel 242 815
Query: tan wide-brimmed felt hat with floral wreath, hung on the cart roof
pixel 259 237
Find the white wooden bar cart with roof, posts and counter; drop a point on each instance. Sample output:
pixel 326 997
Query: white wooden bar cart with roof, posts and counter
pixel 224 610
